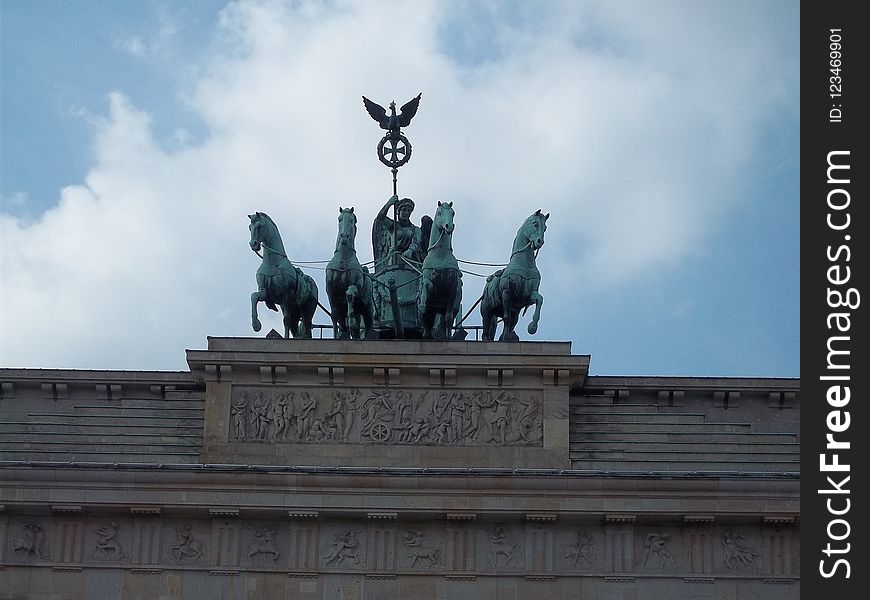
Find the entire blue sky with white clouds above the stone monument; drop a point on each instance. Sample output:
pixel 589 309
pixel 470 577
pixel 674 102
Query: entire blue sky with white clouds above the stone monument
pixel 662 137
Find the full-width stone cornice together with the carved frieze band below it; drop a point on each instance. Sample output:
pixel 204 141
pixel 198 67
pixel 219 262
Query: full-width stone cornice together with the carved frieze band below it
pixel 221 520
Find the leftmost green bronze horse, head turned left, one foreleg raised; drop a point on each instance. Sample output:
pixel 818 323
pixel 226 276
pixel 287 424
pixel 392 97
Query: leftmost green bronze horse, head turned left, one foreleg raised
pixel 279 282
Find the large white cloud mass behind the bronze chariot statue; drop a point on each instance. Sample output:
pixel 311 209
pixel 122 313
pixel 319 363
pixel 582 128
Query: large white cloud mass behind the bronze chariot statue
pixel 629 124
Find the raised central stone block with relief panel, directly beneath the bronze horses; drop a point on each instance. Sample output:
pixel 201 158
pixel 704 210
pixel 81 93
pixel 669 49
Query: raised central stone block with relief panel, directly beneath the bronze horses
pixel 338 402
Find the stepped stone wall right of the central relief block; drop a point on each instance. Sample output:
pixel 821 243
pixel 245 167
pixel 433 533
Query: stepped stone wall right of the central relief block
pixel 667 424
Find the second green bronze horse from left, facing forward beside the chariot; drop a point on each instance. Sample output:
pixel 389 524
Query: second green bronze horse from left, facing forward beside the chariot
pixel 348 284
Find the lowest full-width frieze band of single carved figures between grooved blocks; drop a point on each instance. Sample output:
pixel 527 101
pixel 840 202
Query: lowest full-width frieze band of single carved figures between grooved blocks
pixel 407 545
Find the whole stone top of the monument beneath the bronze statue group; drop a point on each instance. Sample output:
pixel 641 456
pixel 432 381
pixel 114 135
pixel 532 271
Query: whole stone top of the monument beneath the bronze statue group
pixel 396 470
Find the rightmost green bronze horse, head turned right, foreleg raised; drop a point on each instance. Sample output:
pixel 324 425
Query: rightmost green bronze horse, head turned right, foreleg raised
pixel 510 290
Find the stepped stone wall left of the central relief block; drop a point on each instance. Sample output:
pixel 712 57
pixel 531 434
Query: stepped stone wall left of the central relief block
pixel 101 416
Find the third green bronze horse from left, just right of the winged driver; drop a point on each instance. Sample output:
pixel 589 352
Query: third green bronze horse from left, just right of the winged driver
pixel 441 282
